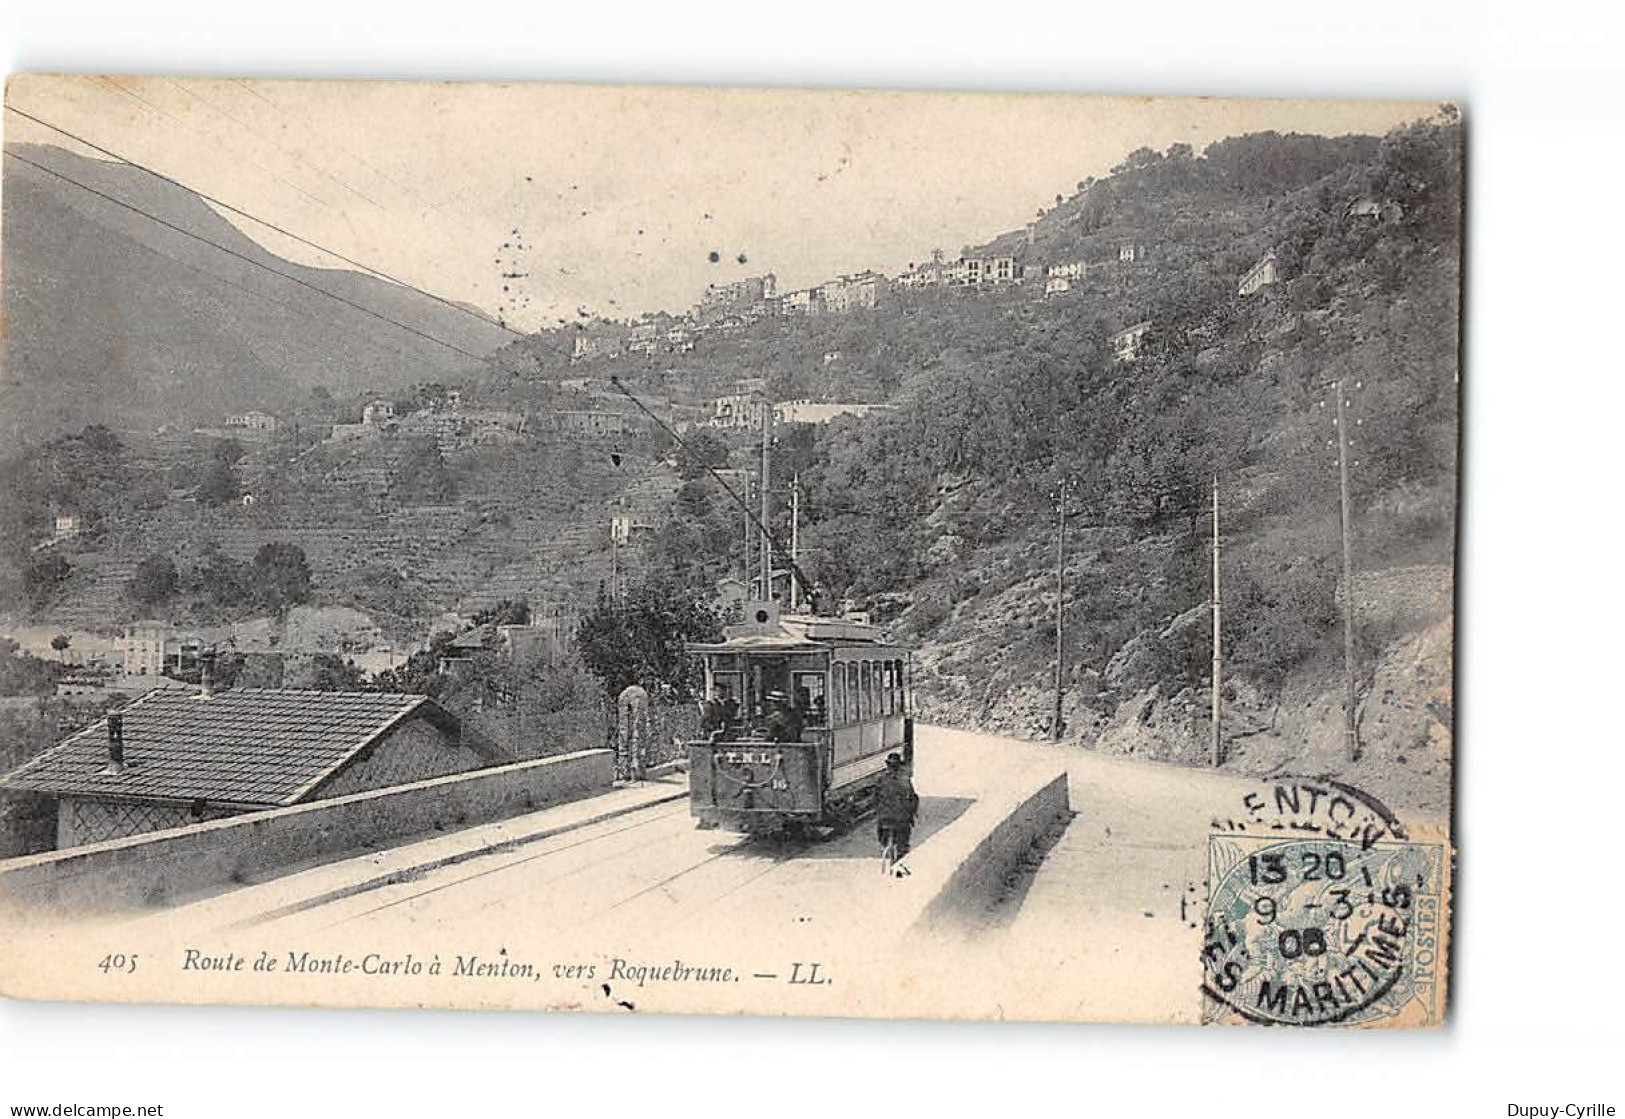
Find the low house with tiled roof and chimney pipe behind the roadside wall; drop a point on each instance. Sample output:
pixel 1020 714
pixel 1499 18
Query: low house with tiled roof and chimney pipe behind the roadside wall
pixel 176 758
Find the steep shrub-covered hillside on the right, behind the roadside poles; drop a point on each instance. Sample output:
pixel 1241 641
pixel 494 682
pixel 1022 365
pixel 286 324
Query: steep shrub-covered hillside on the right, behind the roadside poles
pixel 942 514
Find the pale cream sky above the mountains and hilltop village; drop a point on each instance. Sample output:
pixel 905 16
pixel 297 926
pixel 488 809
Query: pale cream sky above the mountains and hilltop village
pixel 535 202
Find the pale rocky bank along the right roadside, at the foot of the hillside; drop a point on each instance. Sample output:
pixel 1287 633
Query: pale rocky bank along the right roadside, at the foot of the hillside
pixel 1132 707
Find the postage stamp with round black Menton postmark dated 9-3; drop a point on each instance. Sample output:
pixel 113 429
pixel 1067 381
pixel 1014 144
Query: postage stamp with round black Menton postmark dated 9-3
pixel 1322 914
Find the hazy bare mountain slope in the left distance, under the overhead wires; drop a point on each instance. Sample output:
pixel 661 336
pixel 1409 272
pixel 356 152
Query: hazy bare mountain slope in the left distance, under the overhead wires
pixel 111 318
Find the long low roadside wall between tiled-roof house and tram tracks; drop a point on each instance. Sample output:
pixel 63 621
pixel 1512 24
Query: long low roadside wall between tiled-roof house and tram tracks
pixel 163 868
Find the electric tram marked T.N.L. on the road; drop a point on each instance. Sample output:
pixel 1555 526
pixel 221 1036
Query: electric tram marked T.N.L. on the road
pixel 849 688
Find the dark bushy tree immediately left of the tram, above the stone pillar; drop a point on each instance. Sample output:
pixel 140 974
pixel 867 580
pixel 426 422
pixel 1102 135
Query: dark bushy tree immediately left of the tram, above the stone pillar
pixel 643 639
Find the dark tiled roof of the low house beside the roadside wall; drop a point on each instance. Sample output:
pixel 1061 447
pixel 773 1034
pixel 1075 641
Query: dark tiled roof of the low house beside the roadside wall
pixel 246 746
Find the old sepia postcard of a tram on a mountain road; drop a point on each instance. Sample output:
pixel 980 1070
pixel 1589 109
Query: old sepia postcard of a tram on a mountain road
pixel 729 551
